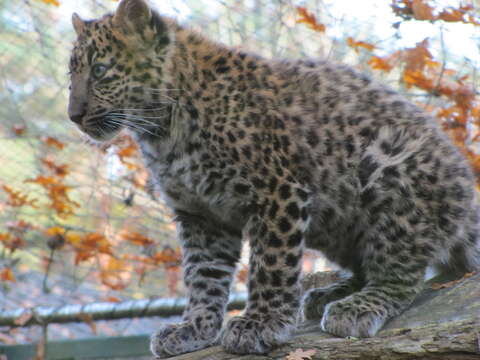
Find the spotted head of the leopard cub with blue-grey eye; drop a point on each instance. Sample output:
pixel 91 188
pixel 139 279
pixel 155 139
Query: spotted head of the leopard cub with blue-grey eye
pixel 116 70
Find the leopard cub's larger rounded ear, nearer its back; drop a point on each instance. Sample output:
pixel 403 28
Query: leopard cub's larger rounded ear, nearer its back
pixel 132 16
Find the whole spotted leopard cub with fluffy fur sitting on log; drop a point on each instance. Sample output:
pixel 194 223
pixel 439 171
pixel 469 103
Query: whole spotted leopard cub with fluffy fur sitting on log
pixel 286 155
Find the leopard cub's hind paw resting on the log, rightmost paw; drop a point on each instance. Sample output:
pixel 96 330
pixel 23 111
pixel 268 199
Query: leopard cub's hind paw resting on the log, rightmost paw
pixel 349 318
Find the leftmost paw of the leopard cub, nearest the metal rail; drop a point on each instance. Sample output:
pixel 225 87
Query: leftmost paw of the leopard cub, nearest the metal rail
pixel 175 339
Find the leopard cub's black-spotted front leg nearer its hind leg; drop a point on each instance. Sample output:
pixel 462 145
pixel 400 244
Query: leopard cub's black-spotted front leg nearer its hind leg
pixel 276 235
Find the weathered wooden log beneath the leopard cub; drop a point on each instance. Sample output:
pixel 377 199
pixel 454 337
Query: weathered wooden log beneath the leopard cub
pixel 443 323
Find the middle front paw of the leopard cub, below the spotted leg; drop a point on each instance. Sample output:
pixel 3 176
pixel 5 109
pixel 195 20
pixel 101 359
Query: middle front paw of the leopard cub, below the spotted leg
pixel 244 335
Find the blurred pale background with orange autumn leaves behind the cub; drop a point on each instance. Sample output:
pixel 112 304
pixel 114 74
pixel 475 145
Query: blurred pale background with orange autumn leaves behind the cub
pixel 78 223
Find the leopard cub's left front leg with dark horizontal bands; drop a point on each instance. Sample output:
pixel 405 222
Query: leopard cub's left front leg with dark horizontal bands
pixel 210 254
